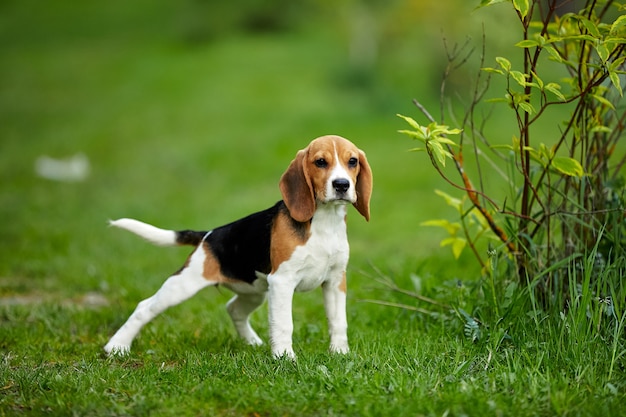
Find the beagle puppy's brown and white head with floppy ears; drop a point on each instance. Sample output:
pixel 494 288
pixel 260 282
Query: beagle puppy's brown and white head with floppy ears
pixel 331 170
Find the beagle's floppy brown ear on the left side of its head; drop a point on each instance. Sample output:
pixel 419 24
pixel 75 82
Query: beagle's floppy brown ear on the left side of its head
pixel 295 186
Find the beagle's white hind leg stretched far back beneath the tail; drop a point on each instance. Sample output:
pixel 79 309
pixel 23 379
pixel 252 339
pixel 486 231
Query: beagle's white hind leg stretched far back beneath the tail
pixel 176 289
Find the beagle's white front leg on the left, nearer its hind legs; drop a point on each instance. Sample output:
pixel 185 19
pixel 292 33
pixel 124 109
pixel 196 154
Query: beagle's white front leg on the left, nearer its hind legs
pixel 280 315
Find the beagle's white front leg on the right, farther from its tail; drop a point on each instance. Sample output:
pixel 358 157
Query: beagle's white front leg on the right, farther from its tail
pixel 335 305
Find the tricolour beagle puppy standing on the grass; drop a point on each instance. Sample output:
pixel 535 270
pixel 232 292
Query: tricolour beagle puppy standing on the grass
pixel 298 244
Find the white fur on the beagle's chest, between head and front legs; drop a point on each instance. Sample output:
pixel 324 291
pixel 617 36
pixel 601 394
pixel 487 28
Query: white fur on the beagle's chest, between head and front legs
pixel 325 254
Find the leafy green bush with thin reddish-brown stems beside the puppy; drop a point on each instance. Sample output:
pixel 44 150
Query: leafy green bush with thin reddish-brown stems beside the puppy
pixel 566 190
